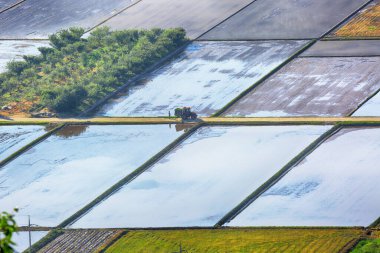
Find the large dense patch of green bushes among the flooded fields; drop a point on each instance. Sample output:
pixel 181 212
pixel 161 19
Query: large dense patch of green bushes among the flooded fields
pixel 75 72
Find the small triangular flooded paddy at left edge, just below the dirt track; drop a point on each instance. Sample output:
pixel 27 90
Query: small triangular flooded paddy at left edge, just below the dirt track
pixel 12 138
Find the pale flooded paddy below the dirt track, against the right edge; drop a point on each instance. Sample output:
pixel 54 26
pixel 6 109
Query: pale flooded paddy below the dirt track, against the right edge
pixel 336 185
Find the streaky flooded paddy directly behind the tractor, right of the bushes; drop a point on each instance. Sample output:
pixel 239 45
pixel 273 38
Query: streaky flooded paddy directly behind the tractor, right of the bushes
pixel 206 76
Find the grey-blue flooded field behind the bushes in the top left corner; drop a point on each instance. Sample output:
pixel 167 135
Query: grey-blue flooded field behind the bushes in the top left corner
pixel 38 18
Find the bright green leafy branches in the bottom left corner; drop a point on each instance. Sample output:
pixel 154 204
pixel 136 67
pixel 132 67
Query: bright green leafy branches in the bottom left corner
pixel 7 228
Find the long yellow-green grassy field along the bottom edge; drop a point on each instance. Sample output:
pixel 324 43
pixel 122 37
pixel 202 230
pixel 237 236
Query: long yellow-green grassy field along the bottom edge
pixel 237 240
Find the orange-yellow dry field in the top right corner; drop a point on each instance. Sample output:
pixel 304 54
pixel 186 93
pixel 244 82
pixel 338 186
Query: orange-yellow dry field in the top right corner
pixel 367 24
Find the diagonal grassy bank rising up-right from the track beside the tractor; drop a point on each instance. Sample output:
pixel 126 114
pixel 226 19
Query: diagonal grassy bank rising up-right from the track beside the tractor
pixel 272 72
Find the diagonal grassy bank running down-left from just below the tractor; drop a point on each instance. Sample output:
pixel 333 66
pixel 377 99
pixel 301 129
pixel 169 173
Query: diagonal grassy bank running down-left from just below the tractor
pixel 129 178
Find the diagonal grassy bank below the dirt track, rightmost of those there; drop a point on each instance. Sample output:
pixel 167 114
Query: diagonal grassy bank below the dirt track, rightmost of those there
pixel 274 179
